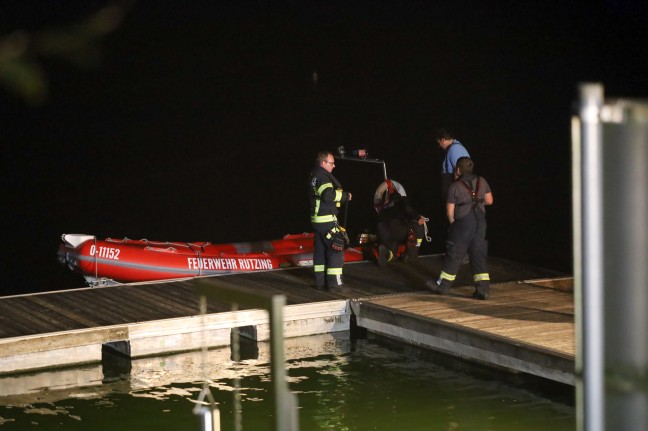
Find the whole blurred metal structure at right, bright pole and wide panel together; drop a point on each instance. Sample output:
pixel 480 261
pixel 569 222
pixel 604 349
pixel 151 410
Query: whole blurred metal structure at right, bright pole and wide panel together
pixel 611 261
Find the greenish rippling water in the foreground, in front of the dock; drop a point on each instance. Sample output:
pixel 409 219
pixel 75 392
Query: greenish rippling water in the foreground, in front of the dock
pixel 368 384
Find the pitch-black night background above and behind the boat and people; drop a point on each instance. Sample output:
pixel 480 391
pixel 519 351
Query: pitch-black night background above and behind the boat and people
pixel 199 121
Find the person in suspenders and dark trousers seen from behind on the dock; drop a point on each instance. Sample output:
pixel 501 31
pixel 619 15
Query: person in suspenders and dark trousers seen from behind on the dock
pixel 468 196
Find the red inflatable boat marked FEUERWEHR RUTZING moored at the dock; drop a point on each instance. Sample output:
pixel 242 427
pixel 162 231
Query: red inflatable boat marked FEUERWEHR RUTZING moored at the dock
pixel 126 260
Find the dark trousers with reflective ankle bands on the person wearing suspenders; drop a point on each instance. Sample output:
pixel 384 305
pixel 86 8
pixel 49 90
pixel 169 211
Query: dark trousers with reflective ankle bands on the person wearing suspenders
pixel 467 235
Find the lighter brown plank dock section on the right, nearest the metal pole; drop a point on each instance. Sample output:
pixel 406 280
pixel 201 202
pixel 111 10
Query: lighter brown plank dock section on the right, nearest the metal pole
pixel 527 327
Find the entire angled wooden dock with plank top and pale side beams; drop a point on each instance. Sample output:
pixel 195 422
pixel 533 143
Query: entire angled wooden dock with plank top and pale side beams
pixel 526 326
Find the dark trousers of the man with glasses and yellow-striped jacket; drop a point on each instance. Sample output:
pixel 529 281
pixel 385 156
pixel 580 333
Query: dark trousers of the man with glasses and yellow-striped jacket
pixel 327 263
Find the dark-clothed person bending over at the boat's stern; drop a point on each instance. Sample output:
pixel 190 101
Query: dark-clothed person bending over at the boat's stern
pixel 396 218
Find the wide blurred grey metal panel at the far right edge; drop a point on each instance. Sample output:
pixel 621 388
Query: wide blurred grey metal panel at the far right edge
pixel 625 215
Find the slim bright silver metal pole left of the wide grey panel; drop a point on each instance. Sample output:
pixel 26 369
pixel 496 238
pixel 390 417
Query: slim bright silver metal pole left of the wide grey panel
pixel 589 270
